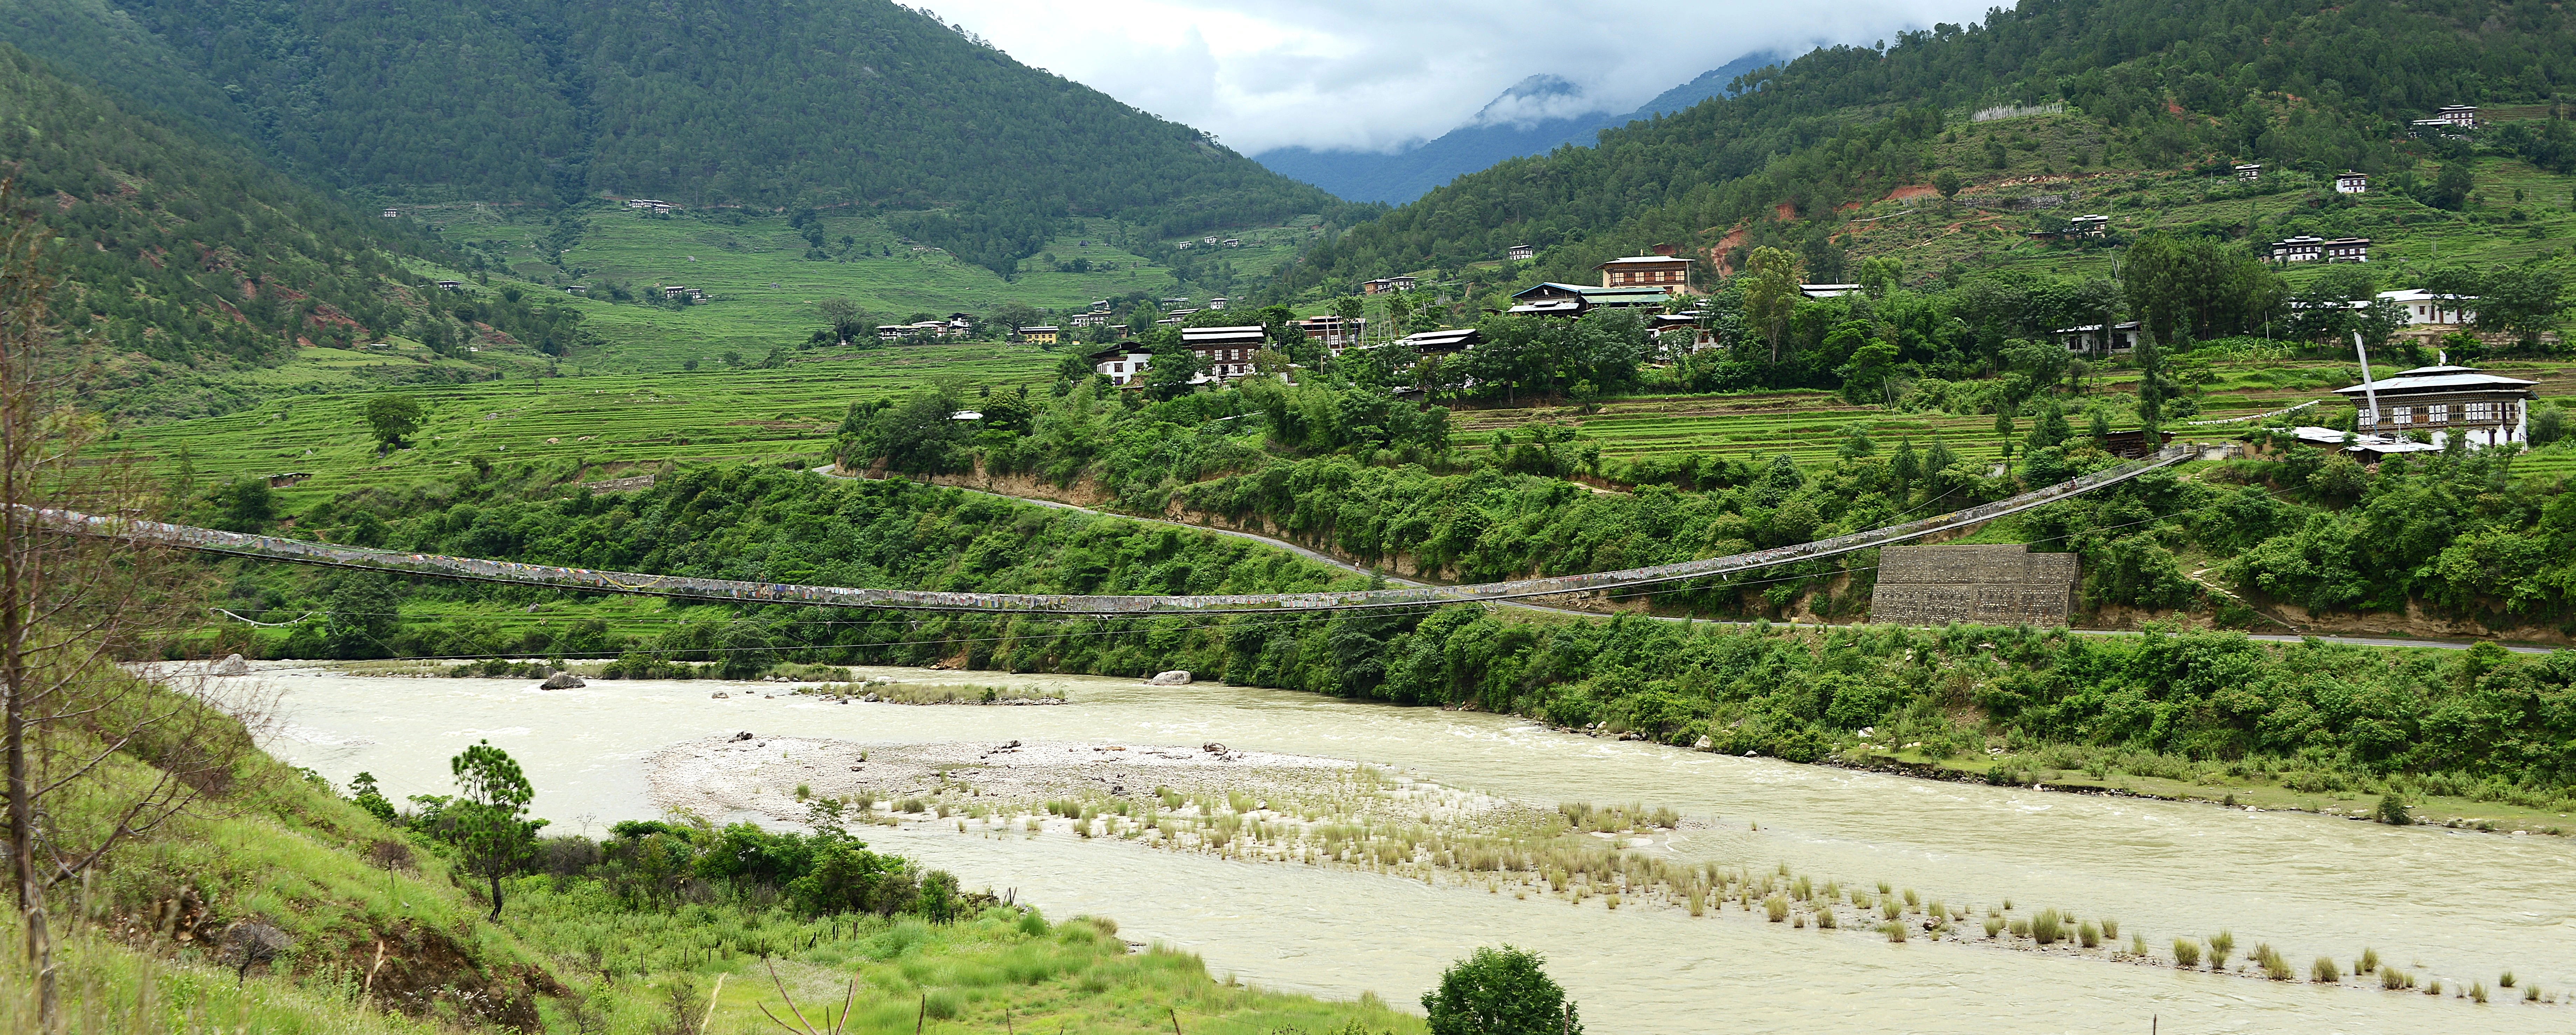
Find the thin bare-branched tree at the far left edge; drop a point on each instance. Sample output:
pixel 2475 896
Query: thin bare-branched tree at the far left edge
pixel 97 756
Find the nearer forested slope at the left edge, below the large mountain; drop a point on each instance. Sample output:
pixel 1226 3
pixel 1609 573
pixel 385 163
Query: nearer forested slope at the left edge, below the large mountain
pixel 187 261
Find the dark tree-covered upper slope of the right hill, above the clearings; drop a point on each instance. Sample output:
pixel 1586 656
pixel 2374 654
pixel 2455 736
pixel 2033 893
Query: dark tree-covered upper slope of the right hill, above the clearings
pixel 2294 84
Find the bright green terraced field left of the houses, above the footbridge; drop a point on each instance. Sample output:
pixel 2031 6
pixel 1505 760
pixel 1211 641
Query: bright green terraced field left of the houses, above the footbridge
pixel 607 421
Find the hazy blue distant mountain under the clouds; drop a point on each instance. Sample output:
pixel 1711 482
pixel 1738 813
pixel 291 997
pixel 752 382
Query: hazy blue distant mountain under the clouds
pixel 1526 120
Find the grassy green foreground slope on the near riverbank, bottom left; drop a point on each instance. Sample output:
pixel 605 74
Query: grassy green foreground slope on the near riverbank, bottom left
pixel 383 933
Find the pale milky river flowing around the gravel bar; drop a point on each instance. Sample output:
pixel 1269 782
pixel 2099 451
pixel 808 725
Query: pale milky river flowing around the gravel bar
pixel 2448 905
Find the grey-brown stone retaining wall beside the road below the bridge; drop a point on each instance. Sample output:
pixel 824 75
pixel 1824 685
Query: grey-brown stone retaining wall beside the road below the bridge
pixel 1985 586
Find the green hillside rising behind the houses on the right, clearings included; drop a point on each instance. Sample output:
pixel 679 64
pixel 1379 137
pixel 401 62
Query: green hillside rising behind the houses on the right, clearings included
pixel 2150 91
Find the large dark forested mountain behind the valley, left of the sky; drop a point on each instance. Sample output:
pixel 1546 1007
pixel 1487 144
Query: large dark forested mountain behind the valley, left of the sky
pixel 769 104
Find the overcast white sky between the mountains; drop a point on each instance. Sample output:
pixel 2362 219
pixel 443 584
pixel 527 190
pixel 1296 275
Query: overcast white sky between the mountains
pixel 1377 76
